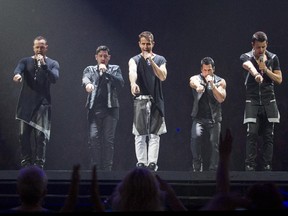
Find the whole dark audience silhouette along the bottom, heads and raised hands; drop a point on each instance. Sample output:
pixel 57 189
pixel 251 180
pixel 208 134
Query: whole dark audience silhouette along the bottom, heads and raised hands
pixel 143 190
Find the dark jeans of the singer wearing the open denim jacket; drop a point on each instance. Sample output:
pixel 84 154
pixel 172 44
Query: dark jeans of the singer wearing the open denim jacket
pixel 102 127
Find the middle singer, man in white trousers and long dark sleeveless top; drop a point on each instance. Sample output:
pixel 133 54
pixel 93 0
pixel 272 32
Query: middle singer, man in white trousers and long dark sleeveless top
pixel 147 70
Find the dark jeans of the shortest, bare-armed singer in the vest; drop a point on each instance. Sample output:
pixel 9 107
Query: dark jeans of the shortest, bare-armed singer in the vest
pixel 198 138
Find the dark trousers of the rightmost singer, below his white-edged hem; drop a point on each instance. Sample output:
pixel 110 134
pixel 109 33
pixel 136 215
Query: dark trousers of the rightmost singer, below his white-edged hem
pixel 265 129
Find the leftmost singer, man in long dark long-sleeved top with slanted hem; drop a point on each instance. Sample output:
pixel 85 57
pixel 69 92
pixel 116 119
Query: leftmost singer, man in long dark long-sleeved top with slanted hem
pixel 37 73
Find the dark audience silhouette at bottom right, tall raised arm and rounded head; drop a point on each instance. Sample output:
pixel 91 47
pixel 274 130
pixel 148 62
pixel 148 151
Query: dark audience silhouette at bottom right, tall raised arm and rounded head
pixel 260 196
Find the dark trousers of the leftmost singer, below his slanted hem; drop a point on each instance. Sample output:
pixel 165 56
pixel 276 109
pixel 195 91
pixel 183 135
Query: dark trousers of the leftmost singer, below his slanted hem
pixel 33 146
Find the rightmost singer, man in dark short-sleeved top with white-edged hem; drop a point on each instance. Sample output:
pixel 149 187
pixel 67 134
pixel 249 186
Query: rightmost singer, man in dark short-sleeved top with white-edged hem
pixel 262 70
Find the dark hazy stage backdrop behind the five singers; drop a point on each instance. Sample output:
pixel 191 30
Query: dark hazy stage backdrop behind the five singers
pixel 185 31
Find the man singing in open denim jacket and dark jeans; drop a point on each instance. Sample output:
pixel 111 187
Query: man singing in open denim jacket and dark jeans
pixel 102 83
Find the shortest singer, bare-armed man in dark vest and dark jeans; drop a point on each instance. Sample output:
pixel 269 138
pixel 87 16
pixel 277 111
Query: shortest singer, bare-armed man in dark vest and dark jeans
pixel 209 91
